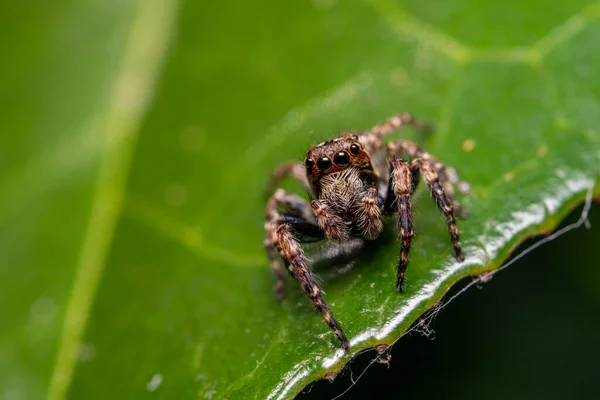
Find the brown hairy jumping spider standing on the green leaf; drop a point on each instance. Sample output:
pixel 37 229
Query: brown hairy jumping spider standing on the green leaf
pixel 354 180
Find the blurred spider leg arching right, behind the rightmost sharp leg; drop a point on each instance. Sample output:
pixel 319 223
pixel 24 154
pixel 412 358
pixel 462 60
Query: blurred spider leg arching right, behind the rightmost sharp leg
pixel 446 176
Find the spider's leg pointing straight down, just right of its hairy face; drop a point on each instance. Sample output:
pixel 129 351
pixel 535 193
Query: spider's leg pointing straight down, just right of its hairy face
pixel 402 186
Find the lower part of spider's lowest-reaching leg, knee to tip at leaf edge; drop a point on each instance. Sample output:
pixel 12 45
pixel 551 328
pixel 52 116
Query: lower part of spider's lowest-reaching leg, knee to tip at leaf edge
pixel 297 265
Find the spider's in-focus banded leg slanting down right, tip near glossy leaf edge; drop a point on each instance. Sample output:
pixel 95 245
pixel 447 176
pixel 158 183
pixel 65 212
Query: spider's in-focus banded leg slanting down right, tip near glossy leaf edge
pixel 431 177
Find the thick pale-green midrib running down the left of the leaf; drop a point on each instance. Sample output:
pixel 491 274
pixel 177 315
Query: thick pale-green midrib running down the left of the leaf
pixel 137 75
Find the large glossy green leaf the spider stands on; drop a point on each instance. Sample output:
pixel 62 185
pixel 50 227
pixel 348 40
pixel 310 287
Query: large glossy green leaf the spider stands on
pixel 137 138
